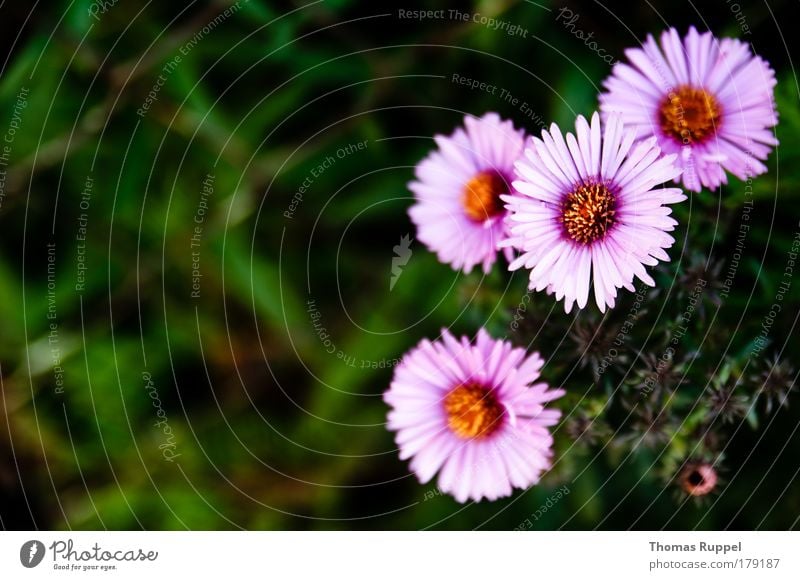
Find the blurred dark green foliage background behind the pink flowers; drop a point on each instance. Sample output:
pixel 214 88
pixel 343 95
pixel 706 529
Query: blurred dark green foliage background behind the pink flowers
pixel 266 427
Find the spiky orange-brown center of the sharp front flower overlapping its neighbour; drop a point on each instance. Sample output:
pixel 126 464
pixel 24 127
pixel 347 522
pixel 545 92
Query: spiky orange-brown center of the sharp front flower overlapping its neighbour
pixel 588 212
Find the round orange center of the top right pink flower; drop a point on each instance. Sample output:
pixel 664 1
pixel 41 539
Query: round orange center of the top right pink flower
pixel 689 115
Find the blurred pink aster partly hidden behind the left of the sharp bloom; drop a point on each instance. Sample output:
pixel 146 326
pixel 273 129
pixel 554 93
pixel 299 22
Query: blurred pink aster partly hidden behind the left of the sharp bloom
pixel 458 212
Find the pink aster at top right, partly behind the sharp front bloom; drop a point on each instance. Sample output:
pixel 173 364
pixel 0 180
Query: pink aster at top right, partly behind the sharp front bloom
pixel 709 100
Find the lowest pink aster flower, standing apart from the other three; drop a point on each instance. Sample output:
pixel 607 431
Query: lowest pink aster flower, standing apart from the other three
pixel 474 414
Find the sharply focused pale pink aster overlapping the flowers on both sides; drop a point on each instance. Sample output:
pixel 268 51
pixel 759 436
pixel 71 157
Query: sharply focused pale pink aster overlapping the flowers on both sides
pixel 589 211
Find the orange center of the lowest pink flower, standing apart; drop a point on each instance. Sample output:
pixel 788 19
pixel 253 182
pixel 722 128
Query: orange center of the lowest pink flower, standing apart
pixel 473 411
